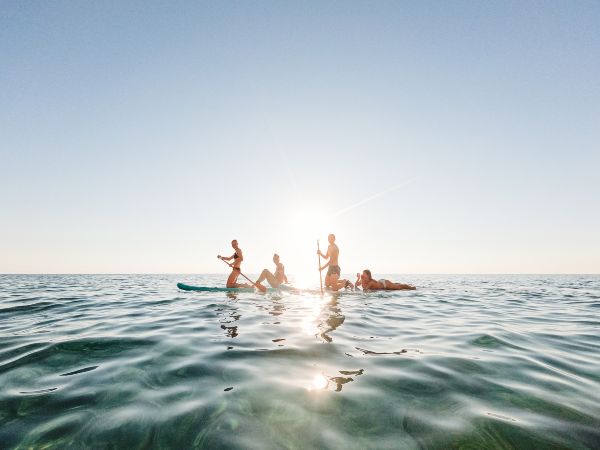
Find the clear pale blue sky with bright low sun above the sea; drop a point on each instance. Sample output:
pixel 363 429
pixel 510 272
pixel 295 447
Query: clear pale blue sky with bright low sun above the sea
pixel 144 136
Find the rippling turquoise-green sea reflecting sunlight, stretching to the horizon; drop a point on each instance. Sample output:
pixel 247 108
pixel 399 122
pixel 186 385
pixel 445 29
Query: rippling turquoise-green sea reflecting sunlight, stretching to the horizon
pixel 115 361
